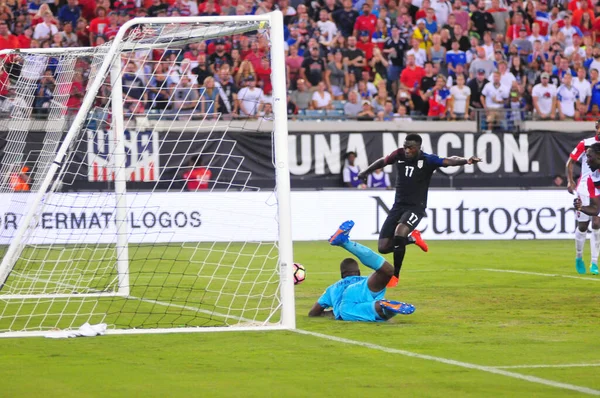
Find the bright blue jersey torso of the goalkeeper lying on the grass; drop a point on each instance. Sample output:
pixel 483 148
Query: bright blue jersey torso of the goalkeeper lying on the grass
pixel 358 303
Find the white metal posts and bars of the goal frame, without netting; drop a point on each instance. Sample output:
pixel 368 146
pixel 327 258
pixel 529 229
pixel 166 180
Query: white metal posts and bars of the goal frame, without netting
pixel 111 66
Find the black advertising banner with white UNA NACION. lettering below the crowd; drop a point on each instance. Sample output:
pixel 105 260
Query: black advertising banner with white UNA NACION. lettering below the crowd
pixel 316 159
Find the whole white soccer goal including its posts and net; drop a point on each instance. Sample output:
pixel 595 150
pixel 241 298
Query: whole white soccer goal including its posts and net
pixel 150 208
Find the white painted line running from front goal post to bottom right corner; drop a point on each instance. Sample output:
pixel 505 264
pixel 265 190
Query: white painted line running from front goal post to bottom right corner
pixel 487 369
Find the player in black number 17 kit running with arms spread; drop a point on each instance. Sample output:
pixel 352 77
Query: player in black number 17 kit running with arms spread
pixel 414 169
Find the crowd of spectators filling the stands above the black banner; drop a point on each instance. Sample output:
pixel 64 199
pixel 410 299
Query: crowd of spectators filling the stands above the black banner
pixel 359 59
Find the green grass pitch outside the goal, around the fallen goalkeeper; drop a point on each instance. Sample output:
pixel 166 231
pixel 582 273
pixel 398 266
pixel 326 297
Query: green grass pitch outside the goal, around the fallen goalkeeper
pixel 482 309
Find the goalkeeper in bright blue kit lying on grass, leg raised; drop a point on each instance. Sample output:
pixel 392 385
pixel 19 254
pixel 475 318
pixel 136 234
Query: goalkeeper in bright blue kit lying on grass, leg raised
pixel 355 297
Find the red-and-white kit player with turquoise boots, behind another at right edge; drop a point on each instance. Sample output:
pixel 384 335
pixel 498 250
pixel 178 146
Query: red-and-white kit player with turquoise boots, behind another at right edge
pixel 581 189
